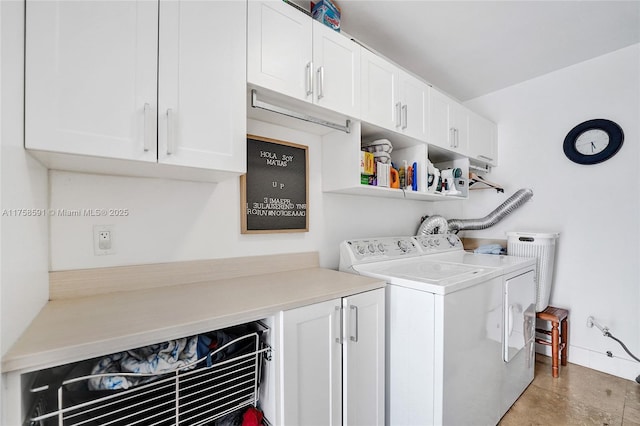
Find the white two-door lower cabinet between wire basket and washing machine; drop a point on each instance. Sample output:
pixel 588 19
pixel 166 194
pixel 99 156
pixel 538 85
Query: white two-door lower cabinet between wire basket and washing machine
pixel 332 362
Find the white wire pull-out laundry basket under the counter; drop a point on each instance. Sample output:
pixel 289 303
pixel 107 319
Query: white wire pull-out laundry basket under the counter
pixel 193 395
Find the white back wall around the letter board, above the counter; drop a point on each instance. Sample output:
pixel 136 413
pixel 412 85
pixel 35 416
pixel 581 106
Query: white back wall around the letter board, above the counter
pixel 175 220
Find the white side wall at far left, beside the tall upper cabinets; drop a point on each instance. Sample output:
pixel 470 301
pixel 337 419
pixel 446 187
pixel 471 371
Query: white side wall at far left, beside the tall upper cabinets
pixel 24 262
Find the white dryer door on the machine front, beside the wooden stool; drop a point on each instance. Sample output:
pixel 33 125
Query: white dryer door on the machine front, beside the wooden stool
pixel 519 314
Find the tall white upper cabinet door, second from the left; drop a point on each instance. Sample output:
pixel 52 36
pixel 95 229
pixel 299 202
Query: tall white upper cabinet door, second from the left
pixel 202 86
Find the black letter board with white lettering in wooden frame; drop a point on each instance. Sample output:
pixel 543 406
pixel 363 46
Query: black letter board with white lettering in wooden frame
pixel 273 187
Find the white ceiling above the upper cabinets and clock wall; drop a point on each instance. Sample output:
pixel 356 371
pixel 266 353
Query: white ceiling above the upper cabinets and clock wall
pixel 470 48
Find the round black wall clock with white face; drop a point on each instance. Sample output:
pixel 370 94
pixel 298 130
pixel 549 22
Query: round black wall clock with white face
pixel 593 141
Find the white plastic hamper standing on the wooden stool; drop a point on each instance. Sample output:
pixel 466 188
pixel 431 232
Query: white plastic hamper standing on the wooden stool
pixel 542 246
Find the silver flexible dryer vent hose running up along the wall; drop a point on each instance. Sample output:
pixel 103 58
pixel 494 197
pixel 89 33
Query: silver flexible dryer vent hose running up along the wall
pixel 435 223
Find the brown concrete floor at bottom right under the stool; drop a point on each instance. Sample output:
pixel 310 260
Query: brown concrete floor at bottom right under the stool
pixel 580 396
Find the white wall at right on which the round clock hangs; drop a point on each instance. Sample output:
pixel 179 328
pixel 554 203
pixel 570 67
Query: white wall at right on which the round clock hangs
pixel 595 208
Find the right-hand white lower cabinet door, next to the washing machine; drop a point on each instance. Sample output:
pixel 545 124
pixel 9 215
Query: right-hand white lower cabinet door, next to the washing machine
pixel 363 359
